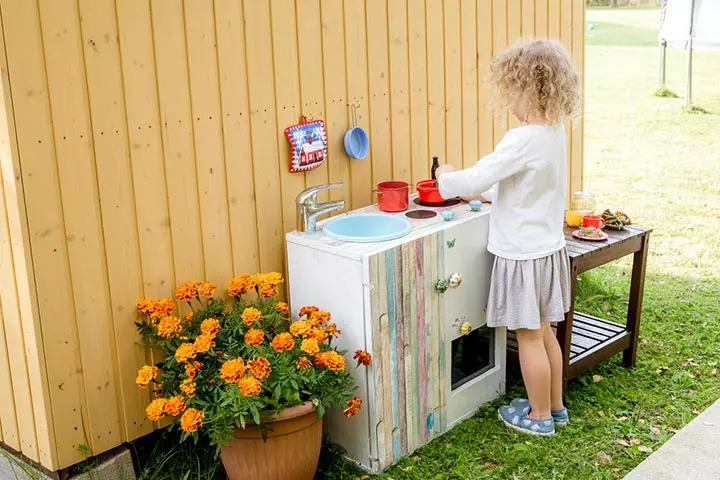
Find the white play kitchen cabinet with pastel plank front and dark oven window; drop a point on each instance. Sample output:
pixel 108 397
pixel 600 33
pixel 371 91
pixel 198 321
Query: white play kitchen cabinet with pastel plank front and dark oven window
pixel 426 375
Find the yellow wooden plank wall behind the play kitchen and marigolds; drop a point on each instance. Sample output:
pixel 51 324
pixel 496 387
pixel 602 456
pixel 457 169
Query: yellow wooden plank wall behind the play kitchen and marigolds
pixel 142 145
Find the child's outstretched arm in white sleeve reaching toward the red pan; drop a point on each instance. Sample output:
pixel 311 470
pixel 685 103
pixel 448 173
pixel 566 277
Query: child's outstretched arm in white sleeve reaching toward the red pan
pixel 508 159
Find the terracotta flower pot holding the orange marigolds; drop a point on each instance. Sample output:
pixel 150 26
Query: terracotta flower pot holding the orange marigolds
pixel 290 453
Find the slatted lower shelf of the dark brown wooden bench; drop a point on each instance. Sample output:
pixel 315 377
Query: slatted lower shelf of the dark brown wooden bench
pixel 594 340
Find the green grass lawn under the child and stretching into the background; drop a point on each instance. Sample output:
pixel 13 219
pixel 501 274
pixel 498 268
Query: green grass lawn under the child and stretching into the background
pixel 661 166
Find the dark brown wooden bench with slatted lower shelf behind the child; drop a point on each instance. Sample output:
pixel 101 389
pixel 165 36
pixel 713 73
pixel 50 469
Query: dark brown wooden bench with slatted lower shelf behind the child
pixel 586 340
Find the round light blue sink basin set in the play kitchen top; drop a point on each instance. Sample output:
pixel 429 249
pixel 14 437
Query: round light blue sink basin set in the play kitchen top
pixel 367 228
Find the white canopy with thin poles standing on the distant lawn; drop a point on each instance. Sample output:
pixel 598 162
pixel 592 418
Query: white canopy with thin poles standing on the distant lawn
pixel 688 24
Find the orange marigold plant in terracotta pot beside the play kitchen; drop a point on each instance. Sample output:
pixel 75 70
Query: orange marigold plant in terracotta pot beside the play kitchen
pixel 240 371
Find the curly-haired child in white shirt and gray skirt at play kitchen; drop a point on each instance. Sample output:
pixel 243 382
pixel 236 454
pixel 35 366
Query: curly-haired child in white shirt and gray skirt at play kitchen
pixel 525 179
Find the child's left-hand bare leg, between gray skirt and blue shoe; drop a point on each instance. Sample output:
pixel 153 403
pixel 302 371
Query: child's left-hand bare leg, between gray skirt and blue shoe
pixel 535 367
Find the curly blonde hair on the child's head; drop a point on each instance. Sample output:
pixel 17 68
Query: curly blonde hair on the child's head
pixel 541 73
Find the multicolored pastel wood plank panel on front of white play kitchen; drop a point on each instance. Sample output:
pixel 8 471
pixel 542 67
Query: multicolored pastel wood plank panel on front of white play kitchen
pixel 408 347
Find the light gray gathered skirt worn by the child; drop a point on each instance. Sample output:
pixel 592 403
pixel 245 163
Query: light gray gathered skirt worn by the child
pixel 526 293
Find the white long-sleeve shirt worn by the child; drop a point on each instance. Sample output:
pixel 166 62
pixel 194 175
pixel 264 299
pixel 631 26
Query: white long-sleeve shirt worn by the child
pixel 526 179
